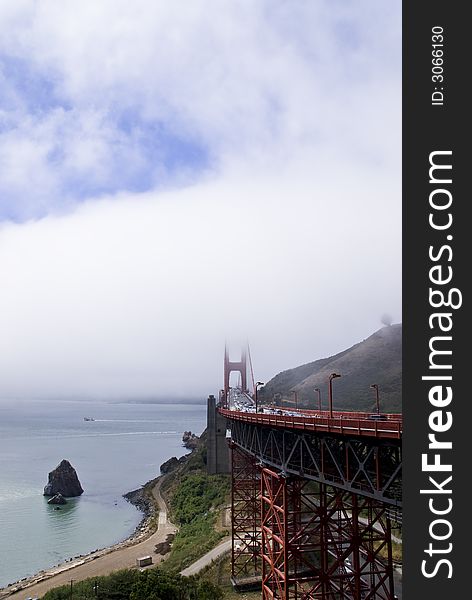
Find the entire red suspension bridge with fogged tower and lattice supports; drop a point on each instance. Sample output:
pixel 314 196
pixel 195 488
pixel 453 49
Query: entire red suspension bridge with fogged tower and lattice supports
pixel 314 495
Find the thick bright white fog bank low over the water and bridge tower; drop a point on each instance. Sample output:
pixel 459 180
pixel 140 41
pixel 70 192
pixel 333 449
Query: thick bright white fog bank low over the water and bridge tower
pixel 137 295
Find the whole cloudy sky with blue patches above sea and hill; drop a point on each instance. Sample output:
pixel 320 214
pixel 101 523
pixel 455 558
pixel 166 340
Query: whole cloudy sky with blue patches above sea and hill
pixel 173 179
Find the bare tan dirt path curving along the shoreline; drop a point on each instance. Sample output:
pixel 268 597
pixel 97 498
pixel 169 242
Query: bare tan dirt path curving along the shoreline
pixel 102 562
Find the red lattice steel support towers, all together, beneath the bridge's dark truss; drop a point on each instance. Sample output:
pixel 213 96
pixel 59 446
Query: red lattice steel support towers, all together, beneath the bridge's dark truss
pixel 307 540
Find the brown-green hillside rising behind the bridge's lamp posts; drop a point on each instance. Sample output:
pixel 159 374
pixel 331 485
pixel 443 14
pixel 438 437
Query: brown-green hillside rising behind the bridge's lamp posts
pixel 377 359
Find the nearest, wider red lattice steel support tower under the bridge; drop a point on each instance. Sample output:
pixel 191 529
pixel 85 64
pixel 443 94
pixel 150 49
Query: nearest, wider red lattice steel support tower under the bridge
pixel 315 544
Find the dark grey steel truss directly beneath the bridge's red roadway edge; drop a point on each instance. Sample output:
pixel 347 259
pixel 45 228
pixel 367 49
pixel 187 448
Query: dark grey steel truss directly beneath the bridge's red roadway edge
pixel 368 467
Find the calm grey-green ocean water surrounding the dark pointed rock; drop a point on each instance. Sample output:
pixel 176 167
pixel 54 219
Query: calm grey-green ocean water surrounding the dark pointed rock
pixel 119 451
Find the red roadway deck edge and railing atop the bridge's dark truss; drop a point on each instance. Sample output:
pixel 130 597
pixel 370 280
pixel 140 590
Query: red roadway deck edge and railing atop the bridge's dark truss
pixel 349 424
